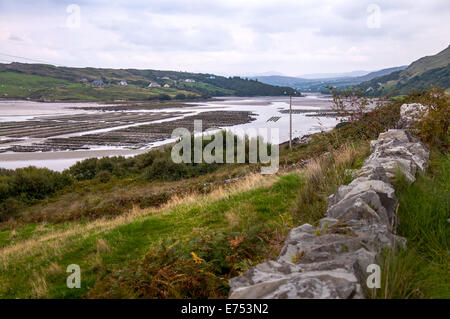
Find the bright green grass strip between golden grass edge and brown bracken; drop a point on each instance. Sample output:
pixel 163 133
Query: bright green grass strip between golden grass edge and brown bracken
pixel 128 237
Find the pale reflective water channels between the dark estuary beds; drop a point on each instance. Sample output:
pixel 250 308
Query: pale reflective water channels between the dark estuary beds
pixel 269 112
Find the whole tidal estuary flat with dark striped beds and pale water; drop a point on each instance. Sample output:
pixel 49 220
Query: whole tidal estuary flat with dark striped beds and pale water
pixel 56 135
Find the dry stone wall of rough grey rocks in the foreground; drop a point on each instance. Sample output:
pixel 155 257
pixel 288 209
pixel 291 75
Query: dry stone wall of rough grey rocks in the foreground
pixel 330 261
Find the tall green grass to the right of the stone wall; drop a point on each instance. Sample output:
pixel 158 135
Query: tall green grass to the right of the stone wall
pixel 422 269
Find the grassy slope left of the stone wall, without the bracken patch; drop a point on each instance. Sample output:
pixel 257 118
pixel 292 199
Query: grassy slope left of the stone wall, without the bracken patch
pixel 34 257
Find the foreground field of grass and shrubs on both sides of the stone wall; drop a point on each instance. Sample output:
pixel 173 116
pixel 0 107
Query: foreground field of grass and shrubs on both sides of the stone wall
pixel 145 227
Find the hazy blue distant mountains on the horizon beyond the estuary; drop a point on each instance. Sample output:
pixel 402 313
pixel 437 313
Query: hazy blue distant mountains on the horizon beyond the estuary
pixel 320 85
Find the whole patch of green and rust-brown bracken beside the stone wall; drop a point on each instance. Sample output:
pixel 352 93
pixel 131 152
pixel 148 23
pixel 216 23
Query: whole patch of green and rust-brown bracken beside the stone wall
pixel 197 268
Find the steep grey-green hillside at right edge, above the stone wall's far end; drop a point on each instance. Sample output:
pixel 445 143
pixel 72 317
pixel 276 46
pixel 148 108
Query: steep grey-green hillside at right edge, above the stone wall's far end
pixel 423 73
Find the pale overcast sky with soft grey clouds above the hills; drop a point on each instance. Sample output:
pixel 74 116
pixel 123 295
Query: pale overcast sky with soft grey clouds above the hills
pixel 225 36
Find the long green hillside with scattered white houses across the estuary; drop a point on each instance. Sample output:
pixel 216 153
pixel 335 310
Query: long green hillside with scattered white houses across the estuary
pixel 48 82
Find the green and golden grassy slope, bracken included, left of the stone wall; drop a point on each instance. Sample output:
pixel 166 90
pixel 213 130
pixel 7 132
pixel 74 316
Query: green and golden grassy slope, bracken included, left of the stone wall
pixel 231 229
